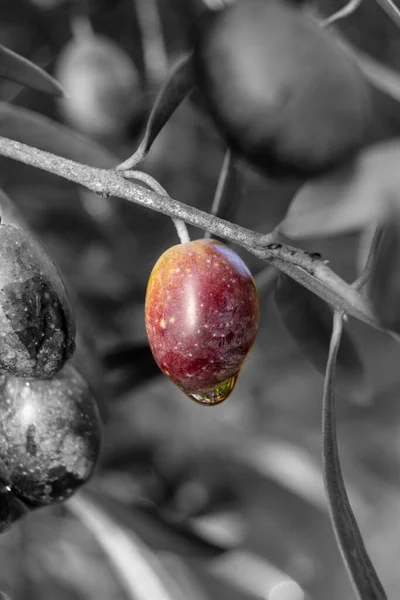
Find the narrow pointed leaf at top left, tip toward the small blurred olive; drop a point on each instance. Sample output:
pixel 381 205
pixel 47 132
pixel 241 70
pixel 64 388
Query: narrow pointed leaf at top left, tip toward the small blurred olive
pixel 23 71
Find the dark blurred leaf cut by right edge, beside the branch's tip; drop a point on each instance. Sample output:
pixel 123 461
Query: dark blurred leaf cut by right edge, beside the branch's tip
pixel 384 284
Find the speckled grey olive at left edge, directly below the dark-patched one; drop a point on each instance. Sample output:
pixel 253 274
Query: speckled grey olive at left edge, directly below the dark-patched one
pixel 49 436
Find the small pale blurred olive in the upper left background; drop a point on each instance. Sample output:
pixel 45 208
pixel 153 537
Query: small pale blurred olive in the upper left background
pixel 101 83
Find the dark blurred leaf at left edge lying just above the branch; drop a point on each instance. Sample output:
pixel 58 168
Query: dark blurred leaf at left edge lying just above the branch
pixel 30 128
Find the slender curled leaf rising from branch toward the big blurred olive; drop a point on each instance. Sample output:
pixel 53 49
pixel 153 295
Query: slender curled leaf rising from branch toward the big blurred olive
pixel 176 88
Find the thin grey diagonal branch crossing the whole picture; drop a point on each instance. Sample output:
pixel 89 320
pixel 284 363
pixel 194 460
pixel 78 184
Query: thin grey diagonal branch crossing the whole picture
pixel 306 268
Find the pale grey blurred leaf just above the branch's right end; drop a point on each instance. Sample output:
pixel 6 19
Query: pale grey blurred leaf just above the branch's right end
pixel 340 202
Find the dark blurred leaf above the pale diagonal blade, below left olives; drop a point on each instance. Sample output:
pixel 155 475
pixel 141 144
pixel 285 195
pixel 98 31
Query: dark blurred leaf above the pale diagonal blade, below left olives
pixel 155 531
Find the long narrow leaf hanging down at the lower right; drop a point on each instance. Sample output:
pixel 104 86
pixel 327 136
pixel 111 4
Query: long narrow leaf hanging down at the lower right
pixel 348 536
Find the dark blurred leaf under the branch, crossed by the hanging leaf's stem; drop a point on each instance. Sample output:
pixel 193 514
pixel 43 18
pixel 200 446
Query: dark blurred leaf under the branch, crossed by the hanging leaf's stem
pixel 309 319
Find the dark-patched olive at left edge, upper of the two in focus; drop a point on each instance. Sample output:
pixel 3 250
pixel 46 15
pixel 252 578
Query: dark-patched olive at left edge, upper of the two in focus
pixel 37 327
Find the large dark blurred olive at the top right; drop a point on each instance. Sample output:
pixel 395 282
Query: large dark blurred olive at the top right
pixel 280 89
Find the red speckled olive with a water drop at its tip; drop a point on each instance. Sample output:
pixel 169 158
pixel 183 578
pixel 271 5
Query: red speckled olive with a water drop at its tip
pixel 201 315
